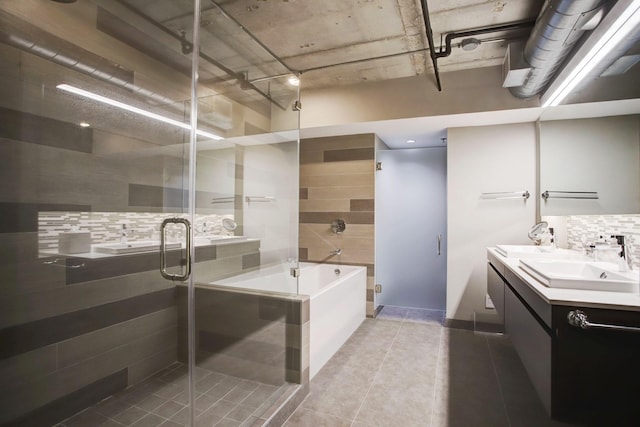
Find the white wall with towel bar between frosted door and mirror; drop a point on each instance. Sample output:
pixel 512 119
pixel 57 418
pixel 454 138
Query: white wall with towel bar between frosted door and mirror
pixel 482 160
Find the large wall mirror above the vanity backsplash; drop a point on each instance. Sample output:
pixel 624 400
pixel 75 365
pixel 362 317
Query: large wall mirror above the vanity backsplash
pixel 589 149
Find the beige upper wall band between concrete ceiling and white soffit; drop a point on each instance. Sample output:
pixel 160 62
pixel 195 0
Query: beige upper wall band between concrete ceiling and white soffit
pixel 464 91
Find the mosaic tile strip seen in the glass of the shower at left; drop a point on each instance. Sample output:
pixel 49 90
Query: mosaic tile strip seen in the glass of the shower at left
pixel 107 226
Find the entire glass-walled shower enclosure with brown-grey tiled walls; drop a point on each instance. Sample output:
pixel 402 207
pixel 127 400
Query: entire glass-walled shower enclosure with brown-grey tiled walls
pixel 143 159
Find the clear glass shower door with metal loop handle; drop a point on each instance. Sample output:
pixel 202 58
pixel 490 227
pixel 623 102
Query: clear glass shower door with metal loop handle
pixel 94 145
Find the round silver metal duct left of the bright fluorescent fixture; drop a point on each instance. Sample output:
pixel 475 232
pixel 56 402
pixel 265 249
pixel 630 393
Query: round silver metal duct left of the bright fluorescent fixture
pixel 559 26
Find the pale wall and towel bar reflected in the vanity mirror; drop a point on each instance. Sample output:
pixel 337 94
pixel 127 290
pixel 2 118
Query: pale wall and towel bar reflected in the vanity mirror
pixel 598 155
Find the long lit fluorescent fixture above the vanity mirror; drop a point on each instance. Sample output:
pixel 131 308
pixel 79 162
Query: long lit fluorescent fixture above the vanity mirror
pixel 617 31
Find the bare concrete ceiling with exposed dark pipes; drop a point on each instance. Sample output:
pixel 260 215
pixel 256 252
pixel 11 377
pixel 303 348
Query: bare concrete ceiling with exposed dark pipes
pixel 330 42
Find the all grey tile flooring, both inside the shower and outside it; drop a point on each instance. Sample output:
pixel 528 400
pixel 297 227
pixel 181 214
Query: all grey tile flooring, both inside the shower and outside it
pixel 403 369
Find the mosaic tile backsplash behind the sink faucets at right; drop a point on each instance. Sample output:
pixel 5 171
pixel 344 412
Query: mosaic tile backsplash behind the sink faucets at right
pixel 583 229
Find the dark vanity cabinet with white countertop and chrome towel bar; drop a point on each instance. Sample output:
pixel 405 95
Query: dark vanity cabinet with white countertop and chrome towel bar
pixel 587 375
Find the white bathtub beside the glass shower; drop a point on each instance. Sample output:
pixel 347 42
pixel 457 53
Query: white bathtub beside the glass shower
pixel 337 301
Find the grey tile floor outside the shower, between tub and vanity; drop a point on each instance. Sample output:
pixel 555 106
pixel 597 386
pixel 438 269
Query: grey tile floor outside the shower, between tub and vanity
pixel 405 369
